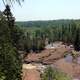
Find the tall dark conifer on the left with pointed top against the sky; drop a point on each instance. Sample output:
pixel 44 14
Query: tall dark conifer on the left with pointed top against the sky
pixel 10 62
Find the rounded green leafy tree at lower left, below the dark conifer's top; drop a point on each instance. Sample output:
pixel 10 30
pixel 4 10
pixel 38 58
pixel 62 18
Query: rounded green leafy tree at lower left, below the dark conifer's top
pixel 10 64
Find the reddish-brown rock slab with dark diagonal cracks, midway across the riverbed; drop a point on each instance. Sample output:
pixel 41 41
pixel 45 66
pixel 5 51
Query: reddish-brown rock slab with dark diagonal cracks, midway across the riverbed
pixel 47 56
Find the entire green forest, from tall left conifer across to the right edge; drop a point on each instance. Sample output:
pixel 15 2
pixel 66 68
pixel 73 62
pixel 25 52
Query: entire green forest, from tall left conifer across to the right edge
pixel 31 36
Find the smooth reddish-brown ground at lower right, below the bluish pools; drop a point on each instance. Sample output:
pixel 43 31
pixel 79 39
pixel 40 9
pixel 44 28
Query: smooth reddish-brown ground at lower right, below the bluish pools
pixel 71 69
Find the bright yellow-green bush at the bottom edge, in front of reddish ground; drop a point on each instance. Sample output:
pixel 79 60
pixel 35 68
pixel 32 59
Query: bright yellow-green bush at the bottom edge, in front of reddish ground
pixel 53 74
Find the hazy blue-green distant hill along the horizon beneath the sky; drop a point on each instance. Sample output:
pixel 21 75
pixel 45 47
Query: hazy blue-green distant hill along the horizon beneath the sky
pixel 49 23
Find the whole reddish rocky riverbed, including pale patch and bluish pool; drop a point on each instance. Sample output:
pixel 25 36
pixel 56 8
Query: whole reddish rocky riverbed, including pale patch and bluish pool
pixel 51 57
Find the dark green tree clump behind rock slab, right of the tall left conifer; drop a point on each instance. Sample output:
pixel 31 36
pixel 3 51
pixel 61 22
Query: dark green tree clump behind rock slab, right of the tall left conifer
pixel 34 42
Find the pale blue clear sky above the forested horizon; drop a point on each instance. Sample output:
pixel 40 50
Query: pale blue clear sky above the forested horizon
pixel 45 10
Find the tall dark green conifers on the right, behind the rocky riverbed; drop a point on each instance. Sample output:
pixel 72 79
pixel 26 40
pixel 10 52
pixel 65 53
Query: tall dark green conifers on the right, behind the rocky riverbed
pixel 67 33
